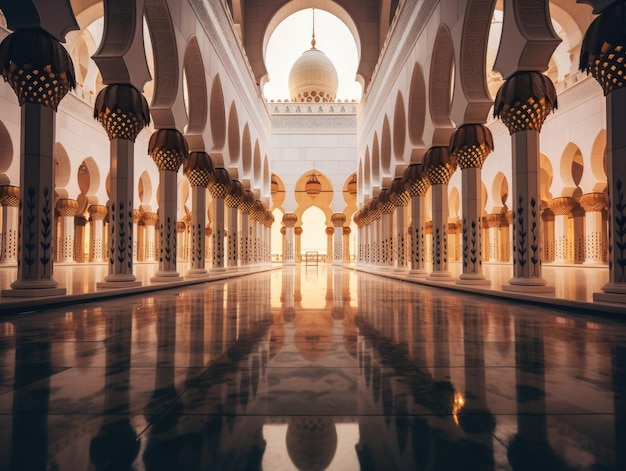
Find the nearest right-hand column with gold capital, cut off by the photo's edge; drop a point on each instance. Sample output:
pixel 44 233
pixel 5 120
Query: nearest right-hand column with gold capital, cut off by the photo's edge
pixel 603 54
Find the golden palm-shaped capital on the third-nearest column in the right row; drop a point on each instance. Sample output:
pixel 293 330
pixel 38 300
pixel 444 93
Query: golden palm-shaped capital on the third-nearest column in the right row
pixel 471 144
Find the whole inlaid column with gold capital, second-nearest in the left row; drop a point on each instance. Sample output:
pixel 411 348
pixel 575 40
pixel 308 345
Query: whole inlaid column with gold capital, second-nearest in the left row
pixel 123 112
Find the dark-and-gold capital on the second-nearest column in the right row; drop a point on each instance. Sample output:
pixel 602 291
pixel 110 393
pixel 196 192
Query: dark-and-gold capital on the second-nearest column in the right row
pixel 524 101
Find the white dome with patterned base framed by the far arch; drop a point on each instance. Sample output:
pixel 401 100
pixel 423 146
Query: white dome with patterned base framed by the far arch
pixel 313 78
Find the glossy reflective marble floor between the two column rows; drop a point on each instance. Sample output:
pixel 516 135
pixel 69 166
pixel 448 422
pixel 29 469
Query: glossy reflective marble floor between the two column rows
pixel 311 368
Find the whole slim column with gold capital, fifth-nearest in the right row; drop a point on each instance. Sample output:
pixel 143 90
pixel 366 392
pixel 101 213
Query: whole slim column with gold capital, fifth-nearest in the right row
pixel 417 184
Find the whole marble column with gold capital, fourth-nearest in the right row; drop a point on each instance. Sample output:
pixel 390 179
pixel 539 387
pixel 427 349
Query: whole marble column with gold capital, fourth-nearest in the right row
pixel 438 165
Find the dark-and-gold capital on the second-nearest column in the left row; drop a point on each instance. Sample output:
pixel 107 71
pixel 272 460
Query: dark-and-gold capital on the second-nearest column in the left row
pixel 122 110
